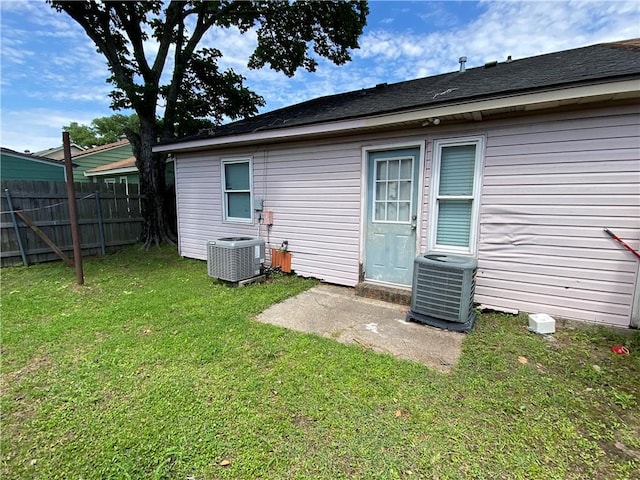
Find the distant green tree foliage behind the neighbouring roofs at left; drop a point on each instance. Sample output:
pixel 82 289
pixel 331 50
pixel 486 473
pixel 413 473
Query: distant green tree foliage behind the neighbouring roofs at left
pixel 102 130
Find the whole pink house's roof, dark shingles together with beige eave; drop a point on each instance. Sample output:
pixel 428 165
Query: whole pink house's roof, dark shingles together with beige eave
pixel 540 78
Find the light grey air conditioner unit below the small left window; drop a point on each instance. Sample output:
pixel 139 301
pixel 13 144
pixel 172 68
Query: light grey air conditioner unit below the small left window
pixel 234 259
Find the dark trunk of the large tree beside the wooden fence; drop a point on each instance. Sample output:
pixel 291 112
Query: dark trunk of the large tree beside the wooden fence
pixel 156 226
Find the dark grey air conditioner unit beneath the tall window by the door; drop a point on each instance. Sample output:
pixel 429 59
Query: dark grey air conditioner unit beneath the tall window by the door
pixel 443 288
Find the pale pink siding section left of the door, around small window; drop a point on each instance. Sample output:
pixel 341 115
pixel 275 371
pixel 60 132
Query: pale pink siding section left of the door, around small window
pixel 314 194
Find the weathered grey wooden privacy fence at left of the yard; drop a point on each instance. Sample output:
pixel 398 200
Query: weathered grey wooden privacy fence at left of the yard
pixel 108 216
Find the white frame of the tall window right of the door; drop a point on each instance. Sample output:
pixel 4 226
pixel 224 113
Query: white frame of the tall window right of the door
pixel 438 145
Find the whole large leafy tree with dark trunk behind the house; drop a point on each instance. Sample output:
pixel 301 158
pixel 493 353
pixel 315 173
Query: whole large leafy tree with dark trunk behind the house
pixel 185 79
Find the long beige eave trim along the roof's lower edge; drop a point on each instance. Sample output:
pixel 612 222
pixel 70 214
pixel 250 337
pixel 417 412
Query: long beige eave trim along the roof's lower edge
pixel 536 100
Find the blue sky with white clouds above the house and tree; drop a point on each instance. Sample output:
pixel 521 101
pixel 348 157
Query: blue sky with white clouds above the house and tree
pixel 51 75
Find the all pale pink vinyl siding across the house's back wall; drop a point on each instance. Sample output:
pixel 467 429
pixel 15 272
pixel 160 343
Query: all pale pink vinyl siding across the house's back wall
pixel 550 184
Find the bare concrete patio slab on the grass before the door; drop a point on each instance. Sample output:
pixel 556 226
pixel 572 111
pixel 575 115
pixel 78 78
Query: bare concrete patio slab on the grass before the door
pixel 337 313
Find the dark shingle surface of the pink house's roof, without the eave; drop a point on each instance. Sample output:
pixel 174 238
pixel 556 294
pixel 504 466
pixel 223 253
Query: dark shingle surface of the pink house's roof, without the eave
pixel 593 64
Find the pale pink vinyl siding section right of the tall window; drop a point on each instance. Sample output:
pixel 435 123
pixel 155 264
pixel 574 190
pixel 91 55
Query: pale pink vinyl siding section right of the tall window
pixel 550 187
